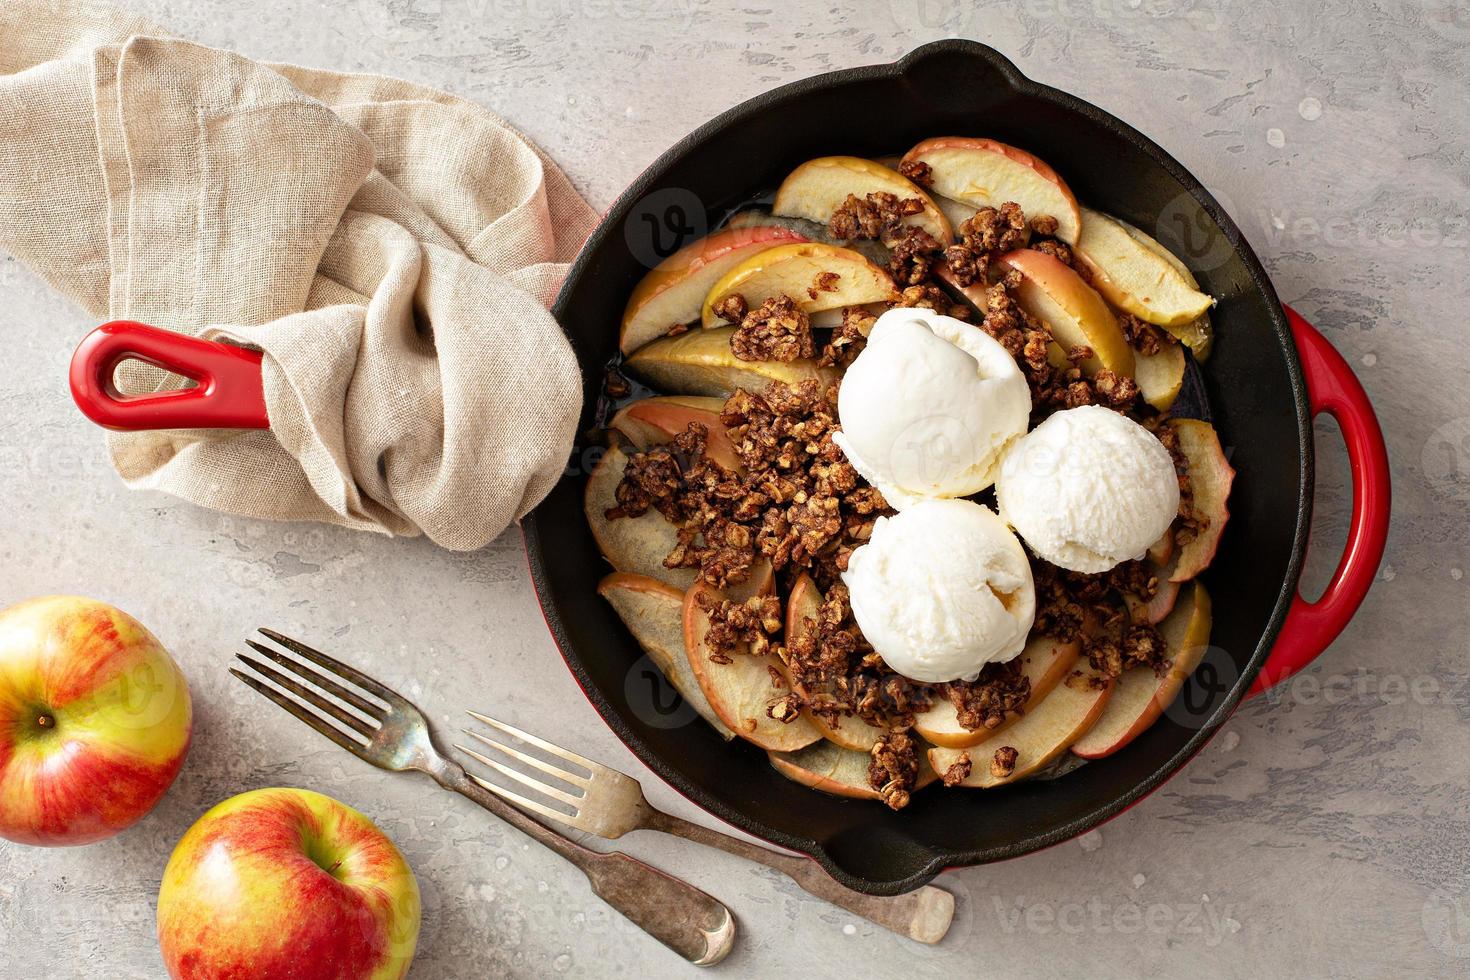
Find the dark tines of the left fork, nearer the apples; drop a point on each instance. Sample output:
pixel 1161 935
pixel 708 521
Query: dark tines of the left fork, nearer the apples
pixel 315 688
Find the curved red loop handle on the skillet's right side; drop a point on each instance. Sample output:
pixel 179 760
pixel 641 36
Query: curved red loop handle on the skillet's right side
pixel 1312 627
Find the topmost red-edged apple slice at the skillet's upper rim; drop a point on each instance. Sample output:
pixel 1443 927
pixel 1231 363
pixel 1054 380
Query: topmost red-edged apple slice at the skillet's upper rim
pixel 987 174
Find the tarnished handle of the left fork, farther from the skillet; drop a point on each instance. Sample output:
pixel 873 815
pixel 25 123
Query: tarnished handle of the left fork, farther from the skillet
pixel 695 925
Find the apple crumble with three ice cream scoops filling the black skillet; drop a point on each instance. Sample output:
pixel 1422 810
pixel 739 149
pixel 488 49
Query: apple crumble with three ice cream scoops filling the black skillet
pixel 917 506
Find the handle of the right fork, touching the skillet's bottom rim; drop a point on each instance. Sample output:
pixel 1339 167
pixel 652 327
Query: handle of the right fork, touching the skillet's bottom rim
pixel 924 915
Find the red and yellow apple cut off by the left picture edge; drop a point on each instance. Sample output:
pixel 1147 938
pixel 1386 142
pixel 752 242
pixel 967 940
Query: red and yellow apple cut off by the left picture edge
pixel 95 722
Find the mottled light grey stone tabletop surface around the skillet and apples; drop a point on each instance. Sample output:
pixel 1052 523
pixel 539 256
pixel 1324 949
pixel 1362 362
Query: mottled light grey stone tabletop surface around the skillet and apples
pixel 1321 835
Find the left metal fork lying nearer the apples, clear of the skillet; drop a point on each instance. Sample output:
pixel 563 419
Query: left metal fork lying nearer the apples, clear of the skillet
pixel 393 734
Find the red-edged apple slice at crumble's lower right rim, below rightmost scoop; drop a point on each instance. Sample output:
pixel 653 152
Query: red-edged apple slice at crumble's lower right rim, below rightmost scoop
pixel 1141 696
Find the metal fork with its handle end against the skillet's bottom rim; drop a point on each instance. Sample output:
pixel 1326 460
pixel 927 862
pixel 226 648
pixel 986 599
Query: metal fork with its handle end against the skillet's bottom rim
pixel 611 804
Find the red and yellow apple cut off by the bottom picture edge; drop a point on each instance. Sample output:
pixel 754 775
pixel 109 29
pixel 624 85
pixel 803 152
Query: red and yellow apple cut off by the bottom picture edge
pixel 287 884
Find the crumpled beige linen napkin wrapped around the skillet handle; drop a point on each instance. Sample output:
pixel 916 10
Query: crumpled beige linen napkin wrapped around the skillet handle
pixel 392 249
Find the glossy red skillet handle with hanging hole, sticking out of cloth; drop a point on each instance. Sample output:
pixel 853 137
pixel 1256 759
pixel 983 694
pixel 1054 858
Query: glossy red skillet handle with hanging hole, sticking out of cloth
pixel 230 393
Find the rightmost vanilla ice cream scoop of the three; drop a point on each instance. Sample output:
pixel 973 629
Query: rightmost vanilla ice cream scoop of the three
pixel 1089 489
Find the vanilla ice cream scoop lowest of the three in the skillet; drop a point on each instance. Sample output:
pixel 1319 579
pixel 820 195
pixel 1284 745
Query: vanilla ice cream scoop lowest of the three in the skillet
pixel 942 590
